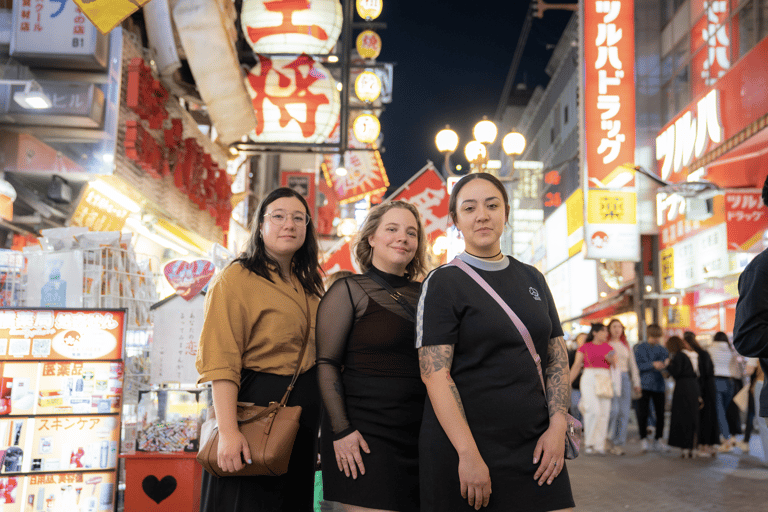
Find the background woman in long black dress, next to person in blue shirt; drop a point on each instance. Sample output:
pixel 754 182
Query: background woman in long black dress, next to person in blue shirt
pixel 684 421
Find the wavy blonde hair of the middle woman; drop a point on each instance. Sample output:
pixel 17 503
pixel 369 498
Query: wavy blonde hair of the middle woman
pixel 364 252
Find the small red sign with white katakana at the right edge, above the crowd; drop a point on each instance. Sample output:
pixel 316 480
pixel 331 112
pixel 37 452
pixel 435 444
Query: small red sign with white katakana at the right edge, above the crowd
pixel 746 219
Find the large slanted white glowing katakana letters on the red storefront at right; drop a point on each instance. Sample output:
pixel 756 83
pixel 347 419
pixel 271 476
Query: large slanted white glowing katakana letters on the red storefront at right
pixel 689 137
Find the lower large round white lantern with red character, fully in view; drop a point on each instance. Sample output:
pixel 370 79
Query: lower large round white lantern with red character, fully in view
pixel 295 100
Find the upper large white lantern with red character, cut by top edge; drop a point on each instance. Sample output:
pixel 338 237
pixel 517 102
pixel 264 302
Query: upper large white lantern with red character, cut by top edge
pixel 290 26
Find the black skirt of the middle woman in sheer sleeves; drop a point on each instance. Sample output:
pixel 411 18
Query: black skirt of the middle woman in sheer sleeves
pixel 387 411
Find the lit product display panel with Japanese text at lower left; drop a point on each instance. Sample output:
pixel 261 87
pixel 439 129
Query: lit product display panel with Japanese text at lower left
pixel 61 386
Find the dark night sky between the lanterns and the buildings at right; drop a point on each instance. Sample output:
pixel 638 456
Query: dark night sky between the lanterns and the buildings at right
pixel 451 61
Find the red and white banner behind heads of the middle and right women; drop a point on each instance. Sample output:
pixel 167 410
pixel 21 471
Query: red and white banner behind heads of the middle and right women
pixel 427 192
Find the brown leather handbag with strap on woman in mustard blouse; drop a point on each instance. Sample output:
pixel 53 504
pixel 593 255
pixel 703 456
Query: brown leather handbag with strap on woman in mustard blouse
pixel 270 431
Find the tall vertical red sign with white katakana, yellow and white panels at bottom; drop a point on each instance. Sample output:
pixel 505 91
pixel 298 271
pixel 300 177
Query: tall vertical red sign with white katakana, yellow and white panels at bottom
pixel 609 116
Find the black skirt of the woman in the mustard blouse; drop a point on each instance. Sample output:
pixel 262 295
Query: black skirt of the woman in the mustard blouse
pixel 291 492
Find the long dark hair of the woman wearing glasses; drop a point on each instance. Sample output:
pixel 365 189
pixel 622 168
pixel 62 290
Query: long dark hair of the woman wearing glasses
pixel 305 264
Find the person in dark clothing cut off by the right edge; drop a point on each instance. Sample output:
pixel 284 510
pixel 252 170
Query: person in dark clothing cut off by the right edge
pixel 750 330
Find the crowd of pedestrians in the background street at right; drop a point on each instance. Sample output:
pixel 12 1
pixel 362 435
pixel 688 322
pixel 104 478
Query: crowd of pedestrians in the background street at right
pixel 609 378
